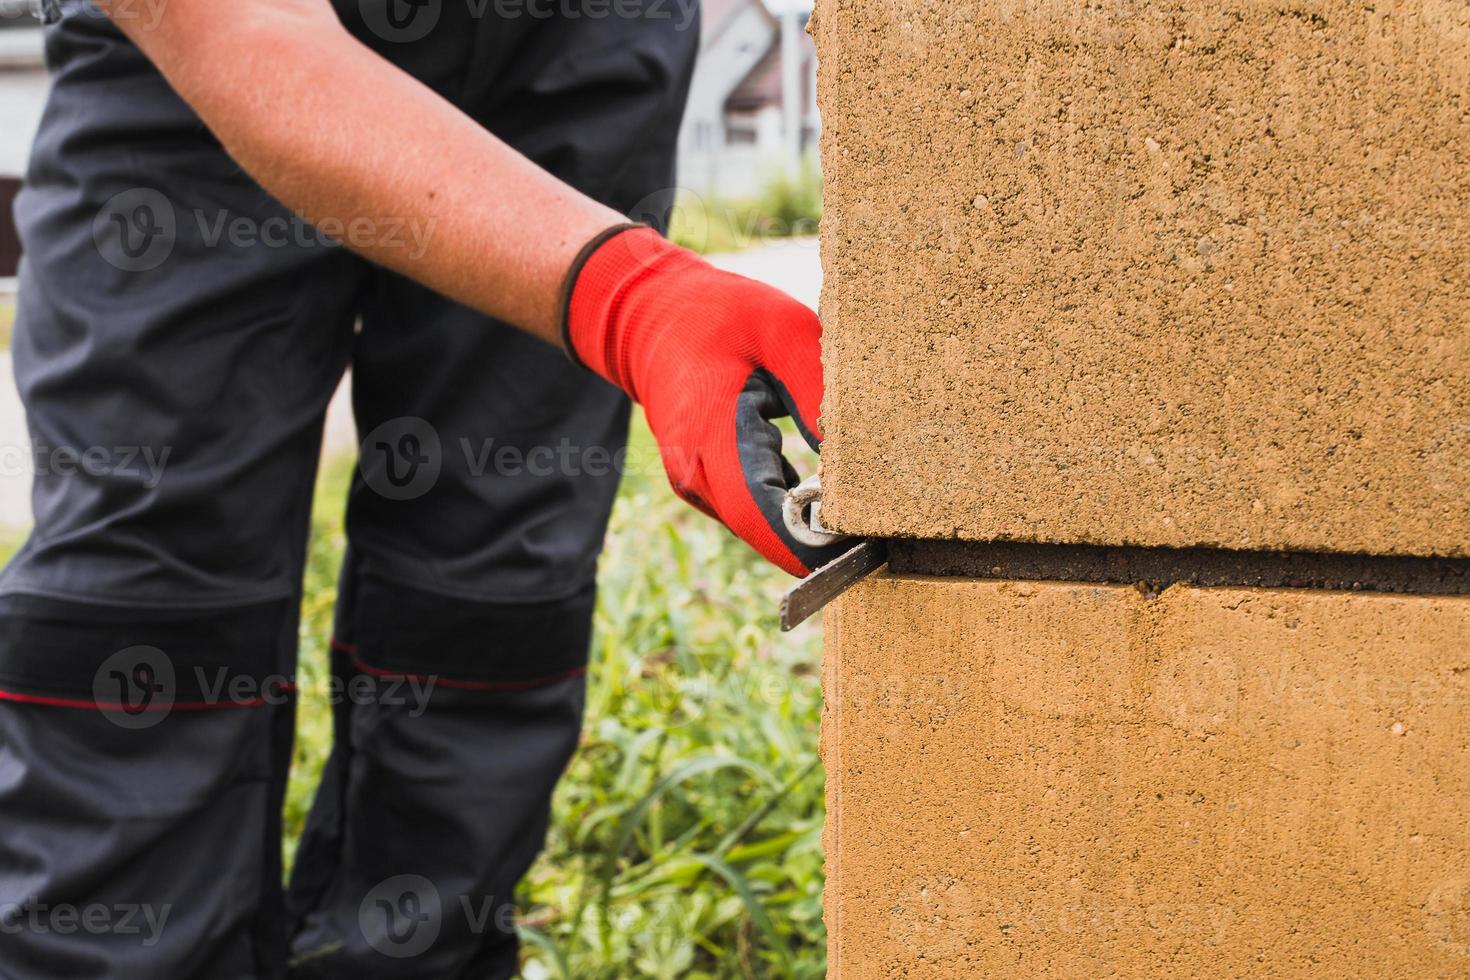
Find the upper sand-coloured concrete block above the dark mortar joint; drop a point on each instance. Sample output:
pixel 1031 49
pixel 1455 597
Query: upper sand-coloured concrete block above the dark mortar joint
pixel 1155 274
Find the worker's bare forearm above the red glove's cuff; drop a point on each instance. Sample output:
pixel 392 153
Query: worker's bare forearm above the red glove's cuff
pixel 283 86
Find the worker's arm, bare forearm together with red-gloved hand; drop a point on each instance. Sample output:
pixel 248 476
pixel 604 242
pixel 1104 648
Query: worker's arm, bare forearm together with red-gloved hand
pixel 337 133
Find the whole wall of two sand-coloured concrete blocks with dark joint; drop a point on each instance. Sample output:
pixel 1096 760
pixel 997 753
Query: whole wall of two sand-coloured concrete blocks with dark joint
pixel 1125 274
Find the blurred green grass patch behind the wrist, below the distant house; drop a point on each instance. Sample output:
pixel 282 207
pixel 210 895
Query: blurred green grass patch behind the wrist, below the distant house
pixel 789 206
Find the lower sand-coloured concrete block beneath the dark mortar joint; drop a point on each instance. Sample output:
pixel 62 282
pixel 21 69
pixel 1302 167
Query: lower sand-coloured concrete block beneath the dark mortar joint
pixel 1072 781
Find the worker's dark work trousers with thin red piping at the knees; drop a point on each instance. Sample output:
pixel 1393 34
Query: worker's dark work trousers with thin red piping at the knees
pixel 179 340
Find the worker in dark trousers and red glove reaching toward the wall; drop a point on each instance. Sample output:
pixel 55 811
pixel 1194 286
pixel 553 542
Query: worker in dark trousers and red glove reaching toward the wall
pixel 229 206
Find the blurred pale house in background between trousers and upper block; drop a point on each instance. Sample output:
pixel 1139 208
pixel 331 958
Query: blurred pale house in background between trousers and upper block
pixel 755 61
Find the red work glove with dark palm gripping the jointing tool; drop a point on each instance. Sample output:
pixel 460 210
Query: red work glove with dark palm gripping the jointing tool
pixel 712 358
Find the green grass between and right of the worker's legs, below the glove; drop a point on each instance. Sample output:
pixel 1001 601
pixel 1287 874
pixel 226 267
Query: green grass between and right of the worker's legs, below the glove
pixel 686 840
